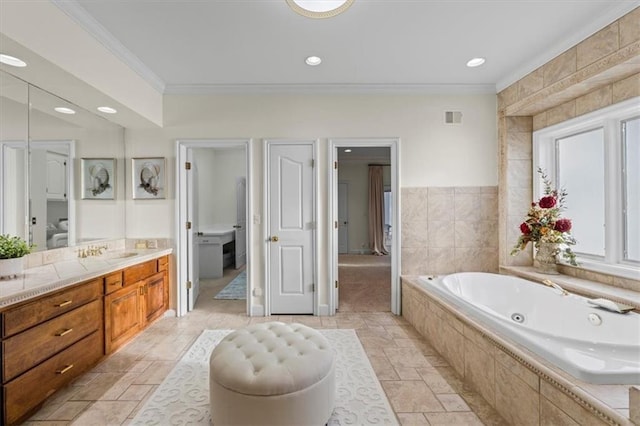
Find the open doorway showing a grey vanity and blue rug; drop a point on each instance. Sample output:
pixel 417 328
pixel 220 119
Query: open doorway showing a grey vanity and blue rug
pixel 213 193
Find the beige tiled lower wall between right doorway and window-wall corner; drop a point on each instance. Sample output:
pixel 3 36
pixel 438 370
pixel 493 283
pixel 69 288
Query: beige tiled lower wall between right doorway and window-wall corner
pixel 449 229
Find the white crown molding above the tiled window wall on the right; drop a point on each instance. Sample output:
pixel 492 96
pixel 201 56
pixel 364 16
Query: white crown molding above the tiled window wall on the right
pixel 581 34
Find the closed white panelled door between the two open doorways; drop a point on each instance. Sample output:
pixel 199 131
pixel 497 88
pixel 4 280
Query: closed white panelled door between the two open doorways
pixel 290 228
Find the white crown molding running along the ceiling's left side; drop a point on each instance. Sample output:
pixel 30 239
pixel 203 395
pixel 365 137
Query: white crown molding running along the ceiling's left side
pixel 100 33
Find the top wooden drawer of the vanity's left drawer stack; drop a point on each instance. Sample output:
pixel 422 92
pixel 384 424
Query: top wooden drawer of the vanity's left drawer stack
pixel 49 306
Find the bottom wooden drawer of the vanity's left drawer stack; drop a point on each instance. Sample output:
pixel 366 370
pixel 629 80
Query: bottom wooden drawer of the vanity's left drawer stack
pixel 23 394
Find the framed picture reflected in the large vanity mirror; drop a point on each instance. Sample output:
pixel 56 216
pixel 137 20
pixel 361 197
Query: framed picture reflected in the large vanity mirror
pixel 98 178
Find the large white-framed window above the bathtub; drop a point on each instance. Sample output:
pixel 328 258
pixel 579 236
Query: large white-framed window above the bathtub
pixel 596 158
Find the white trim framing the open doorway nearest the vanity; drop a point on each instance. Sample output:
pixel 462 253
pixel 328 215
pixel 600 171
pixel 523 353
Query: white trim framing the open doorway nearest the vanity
pixel 182 146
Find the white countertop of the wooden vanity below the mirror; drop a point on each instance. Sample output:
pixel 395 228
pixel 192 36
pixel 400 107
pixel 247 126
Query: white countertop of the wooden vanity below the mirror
pixel 55 276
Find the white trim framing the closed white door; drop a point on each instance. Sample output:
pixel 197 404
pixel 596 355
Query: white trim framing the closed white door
pixel 265 214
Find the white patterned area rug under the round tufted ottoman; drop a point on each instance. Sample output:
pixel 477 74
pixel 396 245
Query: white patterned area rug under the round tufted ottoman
pixel 183 397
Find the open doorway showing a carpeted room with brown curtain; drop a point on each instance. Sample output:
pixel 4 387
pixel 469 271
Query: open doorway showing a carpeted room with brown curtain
pixel 364 253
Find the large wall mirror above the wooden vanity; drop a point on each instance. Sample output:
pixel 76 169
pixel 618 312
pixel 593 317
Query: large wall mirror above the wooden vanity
pixel 45 142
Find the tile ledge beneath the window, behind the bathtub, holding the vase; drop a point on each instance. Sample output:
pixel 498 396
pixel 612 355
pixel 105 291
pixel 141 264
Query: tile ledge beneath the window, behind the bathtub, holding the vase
pixel 578 285
